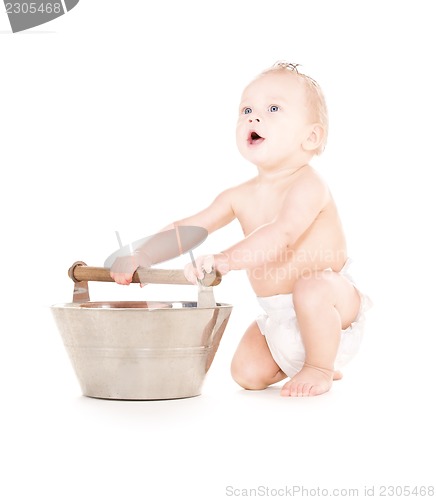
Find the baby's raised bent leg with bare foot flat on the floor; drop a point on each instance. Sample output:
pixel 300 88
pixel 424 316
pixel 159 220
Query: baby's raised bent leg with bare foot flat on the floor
pixel 325 303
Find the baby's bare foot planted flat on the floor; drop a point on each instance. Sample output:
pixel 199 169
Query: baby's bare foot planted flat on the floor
pixel 310 381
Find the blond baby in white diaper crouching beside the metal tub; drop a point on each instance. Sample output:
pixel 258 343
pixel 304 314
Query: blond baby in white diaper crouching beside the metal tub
pixel 294 248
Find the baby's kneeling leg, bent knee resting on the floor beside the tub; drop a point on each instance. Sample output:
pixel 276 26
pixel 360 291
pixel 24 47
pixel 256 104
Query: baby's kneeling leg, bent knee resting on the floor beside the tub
pixel 253 366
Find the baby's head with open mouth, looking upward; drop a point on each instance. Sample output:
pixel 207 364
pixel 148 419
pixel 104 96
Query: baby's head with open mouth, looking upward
pixel 282 117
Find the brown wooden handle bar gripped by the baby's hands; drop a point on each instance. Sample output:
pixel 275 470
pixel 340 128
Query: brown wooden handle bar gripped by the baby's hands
pixel 79 271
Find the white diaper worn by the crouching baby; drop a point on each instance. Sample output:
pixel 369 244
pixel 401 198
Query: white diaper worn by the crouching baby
pixel 280 327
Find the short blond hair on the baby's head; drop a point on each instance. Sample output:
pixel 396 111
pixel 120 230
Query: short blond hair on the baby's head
pixel 315 96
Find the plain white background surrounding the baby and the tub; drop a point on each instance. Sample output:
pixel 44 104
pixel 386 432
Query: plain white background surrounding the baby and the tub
pixel 120 116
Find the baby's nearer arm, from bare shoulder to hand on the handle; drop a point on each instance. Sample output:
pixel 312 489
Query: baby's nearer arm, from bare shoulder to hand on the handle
pixel 303 203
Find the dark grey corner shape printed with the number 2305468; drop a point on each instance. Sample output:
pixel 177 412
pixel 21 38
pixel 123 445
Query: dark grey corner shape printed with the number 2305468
pixel 26 14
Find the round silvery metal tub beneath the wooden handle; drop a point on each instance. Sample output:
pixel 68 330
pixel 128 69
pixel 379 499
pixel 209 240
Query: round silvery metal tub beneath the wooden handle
pixel 140 350
